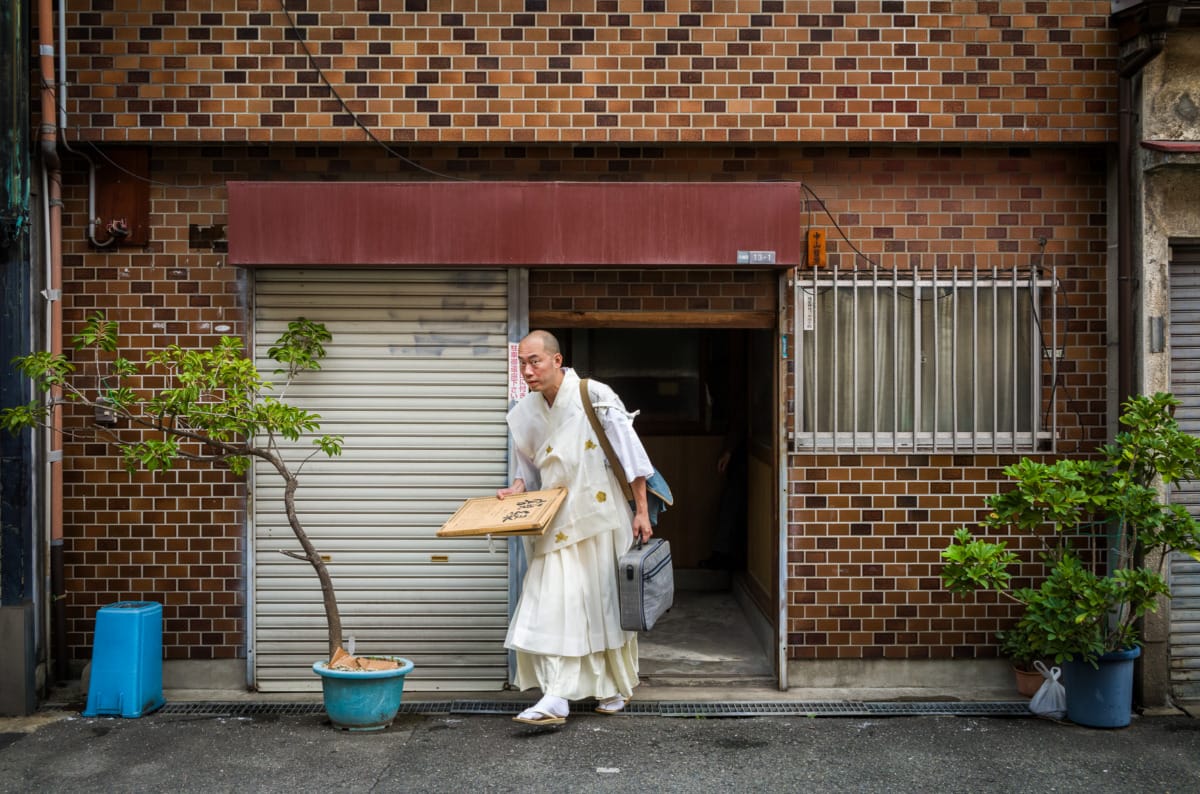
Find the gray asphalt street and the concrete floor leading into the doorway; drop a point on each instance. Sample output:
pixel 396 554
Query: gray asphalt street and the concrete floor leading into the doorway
pixel 707 719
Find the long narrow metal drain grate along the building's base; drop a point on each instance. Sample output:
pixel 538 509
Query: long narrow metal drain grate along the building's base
pixel 646 708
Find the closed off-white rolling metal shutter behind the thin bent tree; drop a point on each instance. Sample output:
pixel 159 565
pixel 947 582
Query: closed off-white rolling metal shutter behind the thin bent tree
pixel 417 382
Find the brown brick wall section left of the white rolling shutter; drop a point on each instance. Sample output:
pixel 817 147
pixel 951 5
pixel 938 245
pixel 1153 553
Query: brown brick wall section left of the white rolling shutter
pixel 177 538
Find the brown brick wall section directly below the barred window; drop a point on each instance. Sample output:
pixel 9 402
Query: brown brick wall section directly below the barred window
pixel 865 543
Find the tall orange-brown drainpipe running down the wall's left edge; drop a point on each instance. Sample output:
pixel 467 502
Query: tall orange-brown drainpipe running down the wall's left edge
pixel 53 294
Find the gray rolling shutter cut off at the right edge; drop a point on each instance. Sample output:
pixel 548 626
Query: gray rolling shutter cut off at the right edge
pixel 1185 275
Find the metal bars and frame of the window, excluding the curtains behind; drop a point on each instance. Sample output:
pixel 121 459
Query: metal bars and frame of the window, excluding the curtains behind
pixel 1037 285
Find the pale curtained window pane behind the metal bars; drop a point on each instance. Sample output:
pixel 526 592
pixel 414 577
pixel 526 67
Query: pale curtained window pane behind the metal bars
pixel 950 358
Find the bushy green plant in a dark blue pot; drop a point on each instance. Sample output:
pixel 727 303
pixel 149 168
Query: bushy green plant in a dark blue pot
pixel 1087 613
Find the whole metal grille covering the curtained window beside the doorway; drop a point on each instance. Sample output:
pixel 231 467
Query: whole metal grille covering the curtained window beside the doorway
pixel 926 360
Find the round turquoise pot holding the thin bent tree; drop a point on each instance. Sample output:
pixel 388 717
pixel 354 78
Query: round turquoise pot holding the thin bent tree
pixel 363 700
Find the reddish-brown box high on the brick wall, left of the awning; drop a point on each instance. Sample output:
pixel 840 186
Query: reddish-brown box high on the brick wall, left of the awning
pixel 123 197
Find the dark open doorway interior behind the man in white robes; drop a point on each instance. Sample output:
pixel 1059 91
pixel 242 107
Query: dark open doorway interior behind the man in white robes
pixel 697 392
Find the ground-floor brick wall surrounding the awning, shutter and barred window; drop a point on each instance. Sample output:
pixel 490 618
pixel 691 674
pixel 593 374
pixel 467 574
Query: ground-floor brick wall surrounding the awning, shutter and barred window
pixel 865 532
